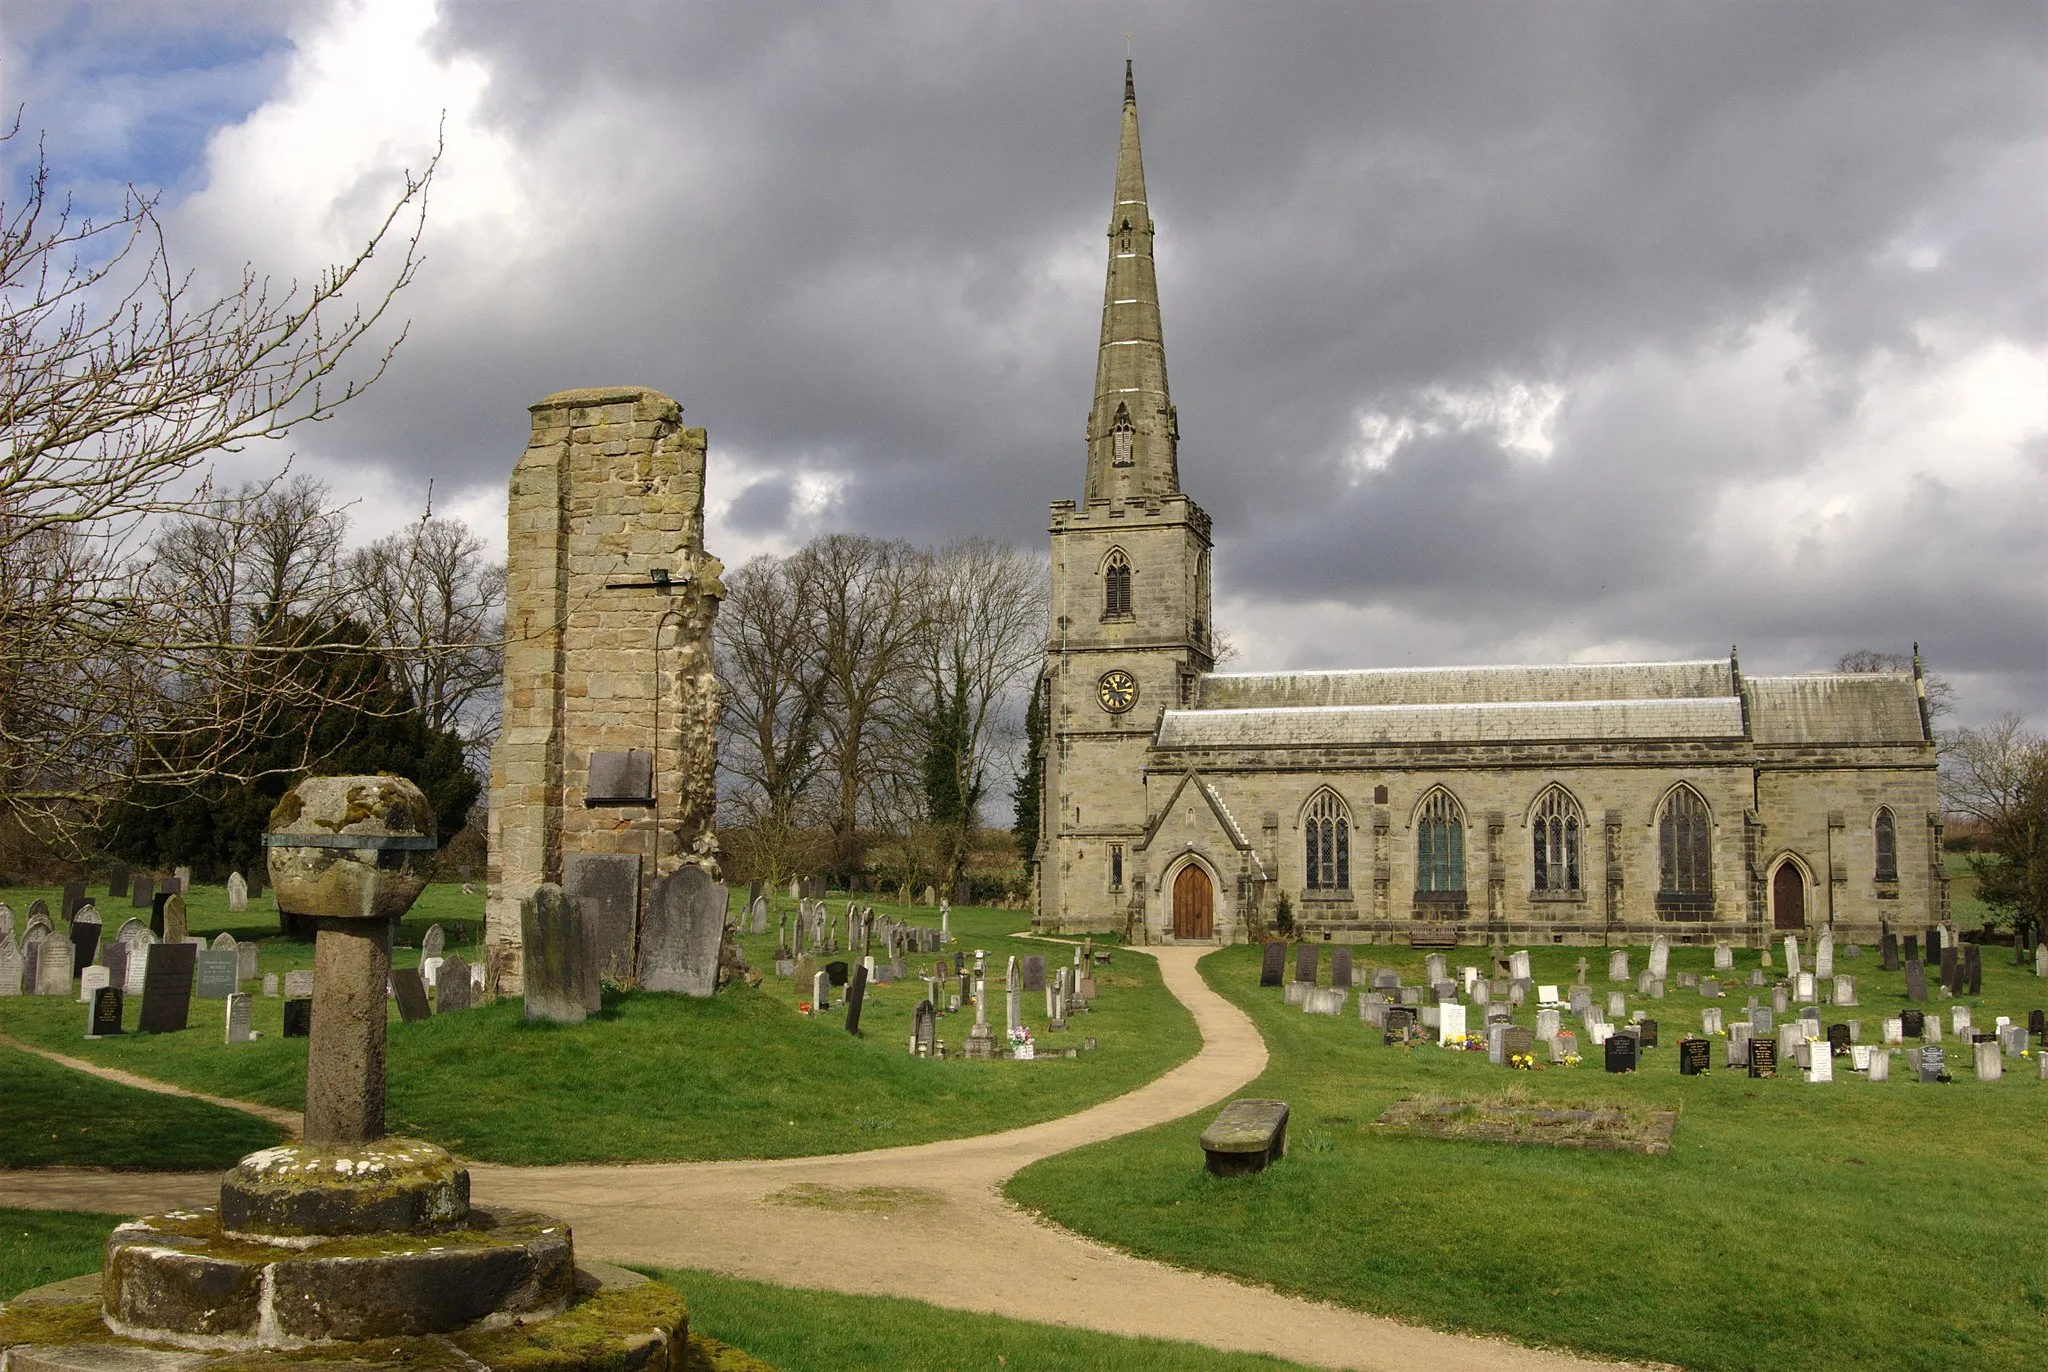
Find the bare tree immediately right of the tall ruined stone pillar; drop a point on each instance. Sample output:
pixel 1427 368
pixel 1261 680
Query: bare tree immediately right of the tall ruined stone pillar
pixel 773 701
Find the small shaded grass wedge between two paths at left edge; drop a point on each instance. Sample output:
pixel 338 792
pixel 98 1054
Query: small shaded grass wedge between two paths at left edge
pixel 56 1117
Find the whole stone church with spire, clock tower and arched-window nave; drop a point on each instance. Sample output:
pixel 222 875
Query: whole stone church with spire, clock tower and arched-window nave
pixel 1576 804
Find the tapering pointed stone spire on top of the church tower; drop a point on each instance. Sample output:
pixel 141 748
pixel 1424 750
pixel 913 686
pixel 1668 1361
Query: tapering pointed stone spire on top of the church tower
pixel 1132 431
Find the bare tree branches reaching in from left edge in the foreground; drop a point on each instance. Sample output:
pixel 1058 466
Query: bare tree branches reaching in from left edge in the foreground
pixel 120 384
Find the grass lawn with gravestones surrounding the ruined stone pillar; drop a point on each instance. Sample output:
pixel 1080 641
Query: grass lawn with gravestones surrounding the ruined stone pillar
pixel 660 1076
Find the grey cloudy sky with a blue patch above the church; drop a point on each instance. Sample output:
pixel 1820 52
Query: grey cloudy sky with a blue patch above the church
pixel 1500 333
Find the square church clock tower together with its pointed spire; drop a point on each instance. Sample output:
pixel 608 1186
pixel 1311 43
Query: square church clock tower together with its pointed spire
pixel 1129 591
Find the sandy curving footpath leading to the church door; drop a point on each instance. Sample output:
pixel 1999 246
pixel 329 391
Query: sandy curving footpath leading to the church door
pixel 941 1232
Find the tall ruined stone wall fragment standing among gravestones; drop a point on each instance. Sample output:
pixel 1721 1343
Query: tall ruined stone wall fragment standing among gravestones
pixel 609 611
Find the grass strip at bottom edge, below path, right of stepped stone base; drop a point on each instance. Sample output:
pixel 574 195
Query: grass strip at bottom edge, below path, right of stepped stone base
pixel 824 1332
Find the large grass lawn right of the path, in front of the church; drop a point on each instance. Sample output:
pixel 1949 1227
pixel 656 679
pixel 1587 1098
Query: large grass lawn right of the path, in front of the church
pixel 1793 1226
